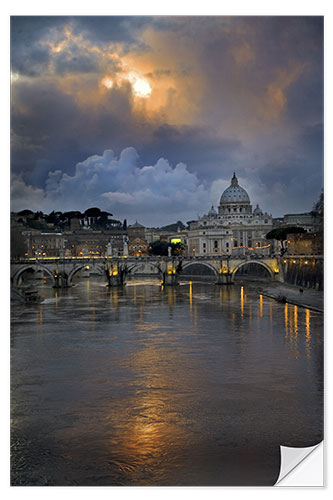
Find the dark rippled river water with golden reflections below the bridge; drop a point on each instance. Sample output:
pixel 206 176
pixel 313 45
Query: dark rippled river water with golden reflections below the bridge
pixel 191 385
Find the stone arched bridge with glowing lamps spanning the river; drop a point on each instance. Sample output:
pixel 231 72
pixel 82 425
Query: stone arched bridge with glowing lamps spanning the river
pixel 116 269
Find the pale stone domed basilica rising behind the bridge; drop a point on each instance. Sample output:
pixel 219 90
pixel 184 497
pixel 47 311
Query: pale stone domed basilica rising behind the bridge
pixel 232 230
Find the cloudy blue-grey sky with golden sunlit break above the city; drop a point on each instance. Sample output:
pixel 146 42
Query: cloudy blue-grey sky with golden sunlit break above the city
pixel 148 117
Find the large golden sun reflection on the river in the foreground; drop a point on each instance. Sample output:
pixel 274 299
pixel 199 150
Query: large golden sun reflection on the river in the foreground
pixel 155 423
